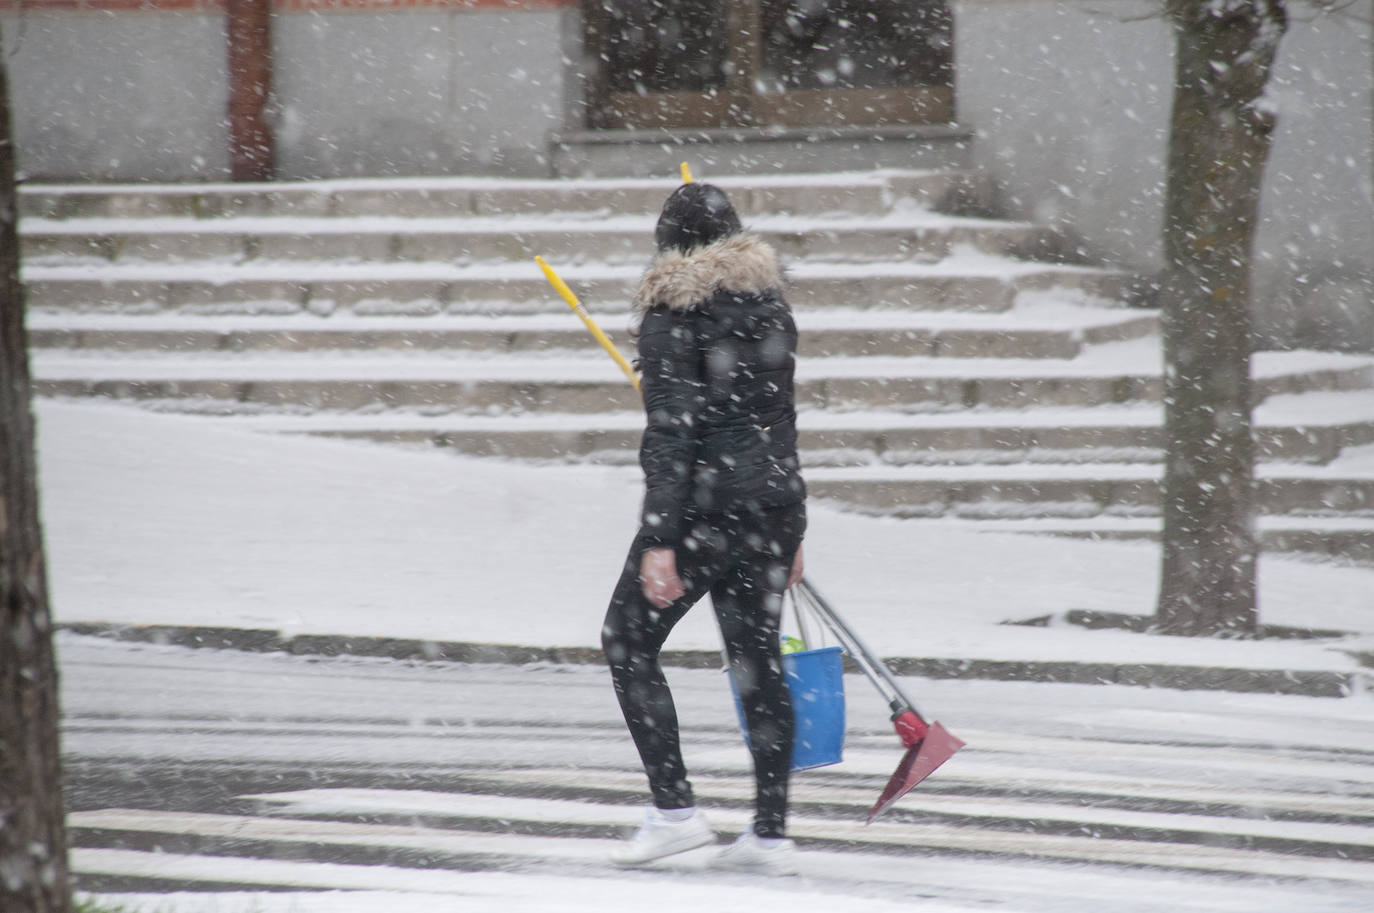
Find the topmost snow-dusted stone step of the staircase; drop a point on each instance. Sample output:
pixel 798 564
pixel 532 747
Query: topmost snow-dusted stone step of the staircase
pixel 861 193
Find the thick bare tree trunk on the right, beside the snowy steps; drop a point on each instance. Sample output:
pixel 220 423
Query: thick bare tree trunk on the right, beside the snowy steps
pixel 1218 149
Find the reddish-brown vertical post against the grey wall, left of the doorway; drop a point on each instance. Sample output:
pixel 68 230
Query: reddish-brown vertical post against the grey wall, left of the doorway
pixel 252 146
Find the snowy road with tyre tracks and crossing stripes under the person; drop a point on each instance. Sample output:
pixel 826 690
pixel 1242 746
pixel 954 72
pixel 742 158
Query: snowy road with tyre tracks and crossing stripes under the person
pixel 271 783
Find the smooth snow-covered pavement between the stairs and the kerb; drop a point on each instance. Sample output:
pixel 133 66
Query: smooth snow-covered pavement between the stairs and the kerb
pixel 179 520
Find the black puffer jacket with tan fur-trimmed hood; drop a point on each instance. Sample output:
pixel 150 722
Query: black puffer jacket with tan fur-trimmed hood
pixel 717 353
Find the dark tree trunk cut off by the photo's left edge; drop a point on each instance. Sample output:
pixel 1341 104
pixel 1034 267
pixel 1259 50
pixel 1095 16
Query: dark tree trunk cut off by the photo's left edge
pixel 34 845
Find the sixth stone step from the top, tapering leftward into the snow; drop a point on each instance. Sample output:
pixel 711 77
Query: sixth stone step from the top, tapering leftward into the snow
pixel 848 439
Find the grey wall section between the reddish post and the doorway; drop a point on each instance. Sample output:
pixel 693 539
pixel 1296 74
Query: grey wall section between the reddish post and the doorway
pixel 423 93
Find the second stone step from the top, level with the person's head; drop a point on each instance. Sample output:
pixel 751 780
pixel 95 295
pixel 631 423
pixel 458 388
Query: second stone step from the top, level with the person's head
pixel 612 240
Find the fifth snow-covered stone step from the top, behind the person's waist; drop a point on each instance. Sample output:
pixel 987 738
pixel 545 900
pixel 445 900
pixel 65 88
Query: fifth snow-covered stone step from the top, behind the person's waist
pixel 1110 375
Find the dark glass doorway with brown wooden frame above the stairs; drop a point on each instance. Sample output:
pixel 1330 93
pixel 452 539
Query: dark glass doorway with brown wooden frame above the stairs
pixel 701 64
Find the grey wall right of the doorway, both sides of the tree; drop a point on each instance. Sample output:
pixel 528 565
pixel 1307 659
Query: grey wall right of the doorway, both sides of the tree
pixel 1071 102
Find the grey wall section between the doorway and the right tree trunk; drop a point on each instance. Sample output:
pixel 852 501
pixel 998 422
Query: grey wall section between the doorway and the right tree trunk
pixel 1071 105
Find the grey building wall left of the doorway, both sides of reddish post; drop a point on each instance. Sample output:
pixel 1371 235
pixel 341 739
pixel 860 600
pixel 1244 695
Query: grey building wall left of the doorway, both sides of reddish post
pixel 137 90
